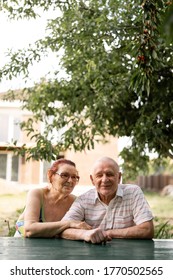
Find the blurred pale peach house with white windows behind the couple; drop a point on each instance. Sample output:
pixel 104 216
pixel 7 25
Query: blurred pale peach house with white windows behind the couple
pixel 14 168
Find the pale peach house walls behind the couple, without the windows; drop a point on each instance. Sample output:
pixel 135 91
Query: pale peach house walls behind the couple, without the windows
pixel 31 172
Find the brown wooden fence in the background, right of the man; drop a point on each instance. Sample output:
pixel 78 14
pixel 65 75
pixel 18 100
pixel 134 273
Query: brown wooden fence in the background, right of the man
pixel 154 182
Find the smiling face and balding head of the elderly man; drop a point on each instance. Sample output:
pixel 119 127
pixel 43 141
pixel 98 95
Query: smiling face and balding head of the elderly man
pixel 106 177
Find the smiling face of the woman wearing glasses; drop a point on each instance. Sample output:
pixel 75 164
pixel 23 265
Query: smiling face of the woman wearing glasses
pixel 65 178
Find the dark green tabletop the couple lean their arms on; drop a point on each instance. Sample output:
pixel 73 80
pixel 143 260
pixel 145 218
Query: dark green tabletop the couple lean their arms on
pixel 59 249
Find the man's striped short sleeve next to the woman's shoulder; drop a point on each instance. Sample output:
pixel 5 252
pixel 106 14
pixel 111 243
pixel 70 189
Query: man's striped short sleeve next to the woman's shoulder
pixel 76 211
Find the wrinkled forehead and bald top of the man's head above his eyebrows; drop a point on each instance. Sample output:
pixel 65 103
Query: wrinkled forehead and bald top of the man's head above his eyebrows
pixel 105 166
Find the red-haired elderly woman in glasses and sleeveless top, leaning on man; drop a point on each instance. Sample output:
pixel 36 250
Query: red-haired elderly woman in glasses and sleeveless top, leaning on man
pixel 45 207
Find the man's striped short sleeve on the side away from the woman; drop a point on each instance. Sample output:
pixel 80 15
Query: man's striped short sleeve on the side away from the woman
pixel 141 209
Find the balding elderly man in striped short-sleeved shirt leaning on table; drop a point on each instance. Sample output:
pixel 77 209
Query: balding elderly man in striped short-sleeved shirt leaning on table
pixel 113 210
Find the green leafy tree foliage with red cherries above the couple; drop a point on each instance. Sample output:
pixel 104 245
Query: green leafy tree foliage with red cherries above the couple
pixel 118 60
